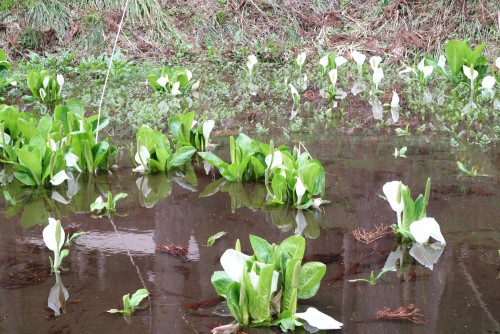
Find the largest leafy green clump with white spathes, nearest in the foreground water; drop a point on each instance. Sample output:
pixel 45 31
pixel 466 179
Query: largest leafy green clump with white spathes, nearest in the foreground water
pixel 270 282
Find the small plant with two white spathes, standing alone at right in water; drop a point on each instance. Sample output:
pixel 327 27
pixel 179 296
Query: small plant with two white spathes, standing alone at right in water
pixel 414 225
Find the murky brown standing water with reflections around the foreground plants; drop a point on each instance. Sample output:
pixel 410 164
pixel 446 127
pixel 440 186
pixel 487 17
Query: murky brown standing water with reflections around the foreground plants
pixel 460 295
